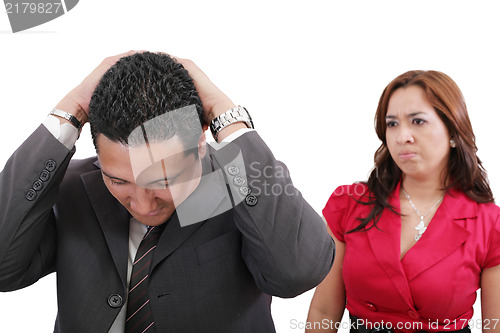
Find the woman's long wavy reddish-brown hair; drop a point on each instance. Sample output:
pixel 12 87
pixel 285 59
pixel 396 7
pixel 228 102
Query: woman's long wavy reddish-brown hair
pixel 464 169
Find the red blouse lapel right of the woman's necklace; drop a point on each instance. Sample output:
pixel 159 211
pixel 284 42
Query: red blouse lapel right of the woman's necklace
pixel 445 234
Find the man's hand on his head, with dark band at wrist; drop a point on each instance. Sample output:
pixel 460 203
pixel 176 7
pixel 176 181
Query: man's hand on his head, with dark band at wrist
pixel 77 100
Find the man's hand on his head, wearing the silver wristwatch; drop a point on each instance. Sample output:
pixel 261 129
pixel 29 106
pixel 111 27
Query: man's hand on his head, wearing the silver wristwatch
pixel 214 101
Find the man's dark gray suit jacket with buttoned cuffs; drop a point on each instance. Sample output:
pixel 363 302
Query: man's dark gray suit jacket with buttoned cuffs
pixel 217 275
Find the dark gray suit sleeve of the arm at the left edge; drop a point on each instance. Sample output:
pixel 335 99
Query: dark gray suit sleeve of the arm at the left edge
pixel 28 189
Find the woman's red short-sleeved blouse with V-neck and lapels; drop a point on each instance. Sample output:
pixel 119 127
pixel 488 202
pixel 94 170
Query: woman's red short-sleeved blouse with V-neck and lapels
pixel 433 287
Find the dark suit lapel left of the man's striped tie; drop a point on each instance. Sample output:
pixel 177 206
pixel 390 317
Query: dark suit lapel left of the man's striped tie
pixel 113 218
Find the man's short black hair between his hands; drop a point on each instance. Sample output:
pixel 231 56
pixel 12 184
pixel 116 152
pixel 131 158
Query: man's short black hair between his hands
pixel 140 88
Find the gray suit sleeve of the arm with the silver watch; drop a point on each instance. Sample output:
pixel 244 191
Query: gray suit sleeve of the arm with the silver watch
pixel 285 243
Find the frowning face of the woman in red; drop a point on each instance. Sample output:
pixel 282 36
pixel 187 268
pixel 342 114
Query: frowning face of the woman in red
pixel 417 138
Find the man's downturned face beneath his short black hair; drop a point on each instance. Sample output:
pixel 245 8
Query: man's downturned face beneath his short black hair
pixel 151 180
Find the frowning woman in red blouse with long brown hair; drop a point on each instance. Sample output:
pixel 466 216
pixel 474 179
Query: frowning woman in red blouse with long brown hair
pixel 417 240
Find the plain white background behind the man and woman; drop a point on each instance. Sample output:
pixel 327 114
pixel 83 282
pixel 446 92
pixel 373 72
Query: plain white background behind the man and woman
pixel 309 72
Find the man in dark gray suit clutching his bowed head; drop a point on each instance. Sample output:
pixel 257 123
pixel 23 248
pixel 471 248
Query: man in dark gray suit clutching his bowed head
pixel 160 232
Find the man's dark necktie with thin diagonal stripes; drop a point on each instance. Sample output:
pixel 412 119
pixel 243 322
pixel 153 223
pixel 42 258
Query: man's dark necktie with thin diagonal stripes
pixel 139 316
